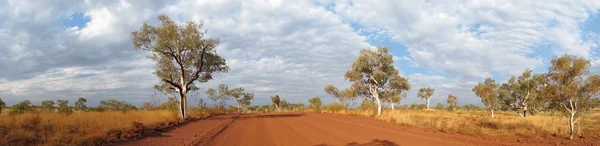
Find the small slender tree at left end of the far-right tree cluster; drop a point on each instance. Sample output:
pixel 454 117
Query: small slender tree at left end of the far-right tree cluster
pixel 487 92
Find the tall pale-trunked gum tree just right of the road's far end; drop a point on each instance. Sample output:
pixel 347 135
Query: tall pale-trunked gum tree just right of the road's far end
pixel 373 75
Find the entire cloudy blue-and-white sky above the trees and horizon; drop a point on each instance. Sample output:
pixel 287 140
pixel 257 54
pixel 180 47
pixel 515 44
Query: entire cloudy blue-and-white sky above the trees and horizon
pixel 67 49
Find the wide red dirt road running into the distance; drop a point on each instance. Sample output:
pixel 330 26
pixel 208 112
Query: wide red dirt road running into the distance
pixel 287 129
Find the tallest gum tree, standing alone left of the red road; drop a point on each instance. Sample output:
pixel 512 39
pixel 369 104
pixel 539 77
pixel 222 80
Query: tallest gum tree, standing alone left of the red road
pixel 182 55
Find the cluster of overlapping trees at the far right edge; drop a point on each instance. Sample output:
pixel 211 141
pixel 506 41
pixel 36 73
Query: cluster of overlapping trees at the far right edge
pixel 568 87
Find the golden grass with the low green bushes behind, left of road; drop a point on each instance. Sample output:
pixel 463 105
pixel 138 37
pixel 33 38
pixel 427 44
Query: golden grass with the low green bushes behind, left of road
pixel 28 124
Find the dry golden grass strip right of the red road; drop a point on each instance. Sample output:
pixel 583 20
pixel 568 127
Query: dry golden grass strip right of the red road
pixel 478 122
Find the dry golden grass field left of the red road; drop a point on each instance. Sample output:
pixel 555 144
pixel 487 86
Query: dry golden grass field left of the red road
pixel 86 128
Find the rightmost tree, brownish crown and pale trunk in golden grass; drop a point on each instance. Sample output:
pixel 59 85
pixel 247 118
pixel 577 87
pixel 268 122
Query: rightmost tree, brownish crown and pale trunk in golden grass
pixel 572 87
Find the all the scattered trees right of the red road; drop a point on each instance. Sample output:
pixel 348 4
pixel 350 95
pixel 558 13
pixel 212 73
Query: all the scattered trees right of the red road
pixel 568 87
